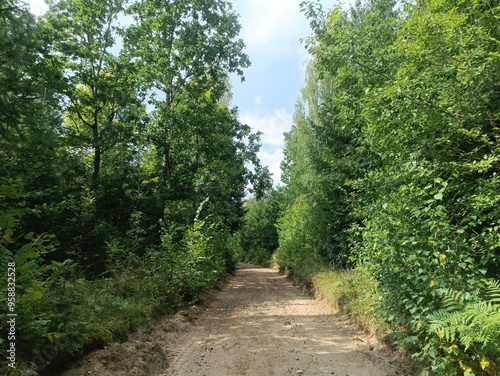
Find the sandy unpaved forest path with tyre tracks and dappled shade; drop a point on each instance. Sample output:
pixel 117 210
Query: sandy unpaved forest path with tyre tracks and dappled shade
pixel 258 324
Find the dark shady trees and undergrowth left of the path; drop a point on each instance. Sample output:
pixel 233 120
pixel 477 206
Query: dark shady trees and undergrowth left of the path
pixel 123 168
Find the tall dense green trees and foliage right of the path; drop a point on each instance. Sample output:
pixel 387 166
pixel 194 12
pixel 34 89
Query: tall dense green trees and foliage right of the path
pixel 392 167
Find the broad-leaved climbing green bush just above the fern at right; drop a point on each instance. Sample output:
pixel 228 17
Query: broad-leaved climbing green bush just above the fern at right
pixel 410 241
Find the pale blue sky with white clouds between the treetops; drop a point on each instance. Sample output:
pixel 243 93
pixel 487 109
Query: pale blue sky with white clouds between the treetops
pixel 272 30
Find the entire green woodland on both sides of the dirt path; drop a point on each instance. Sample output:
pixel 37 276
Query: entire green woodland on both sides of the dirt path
pixel 128 186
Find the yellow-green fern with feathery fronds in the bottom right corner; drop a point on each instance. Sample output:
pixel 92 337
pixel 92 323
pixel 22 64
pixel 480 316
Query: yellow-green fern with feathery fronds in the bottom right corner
pixel 465 333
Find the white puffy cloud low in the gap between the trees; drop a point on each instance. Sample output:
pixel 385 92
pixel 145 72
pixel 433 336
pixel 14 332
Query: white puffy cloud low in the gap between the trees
pixel 272 125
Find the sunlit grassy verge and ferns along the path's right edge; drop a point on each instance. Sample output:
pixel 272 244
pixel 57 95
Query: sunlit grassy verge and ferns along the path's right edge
pixel 462 338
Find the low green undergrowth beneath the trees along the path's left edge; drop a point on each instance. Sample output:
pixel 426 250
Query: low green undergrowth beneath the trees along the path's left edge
pixel 61 315
